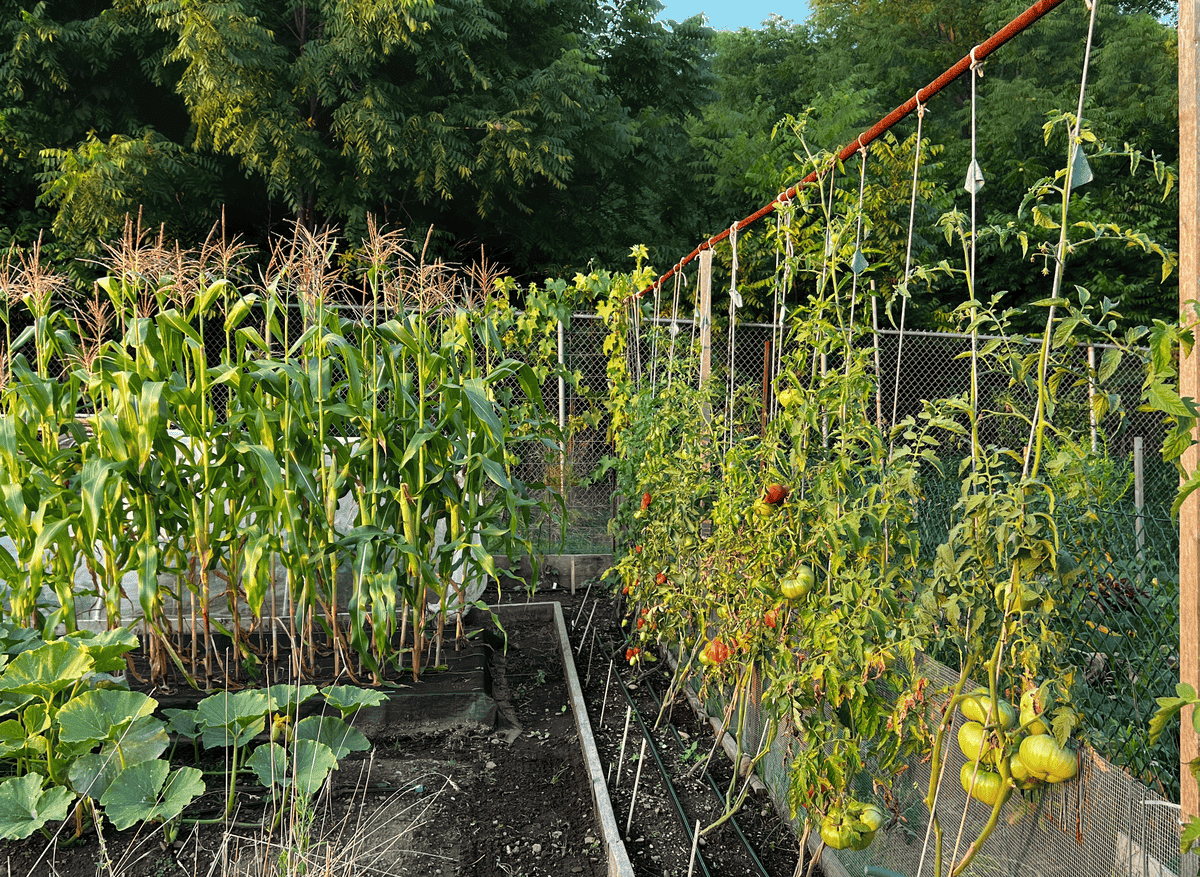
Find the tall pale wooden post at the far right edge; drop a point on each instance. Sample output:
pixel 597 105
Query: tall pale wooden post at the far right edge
pixel 1190 387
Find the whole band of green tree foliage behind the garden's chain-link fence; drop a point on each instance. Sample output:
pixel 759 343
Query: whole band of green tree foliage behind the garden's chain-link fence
pixel 556 136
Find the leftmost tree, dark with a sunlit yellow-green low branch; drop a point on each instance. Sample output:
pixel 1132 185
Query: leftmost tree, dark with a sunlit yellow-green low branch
pixel 86 136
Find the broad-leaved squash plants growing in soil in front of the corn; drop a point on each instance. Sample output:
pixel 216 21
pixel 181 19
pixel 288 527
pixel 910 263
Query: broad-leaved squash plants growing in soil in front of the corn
pixel 75 736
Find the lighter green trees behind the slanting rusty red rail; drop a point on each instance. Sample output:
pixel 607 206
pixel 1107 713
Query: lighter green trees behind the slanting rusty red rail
pixel 856 61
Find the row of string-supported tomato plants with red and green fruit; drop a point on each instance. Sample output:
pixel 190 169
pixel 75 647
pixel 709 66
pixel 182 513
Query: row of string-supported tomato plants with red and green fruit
pixel 811 575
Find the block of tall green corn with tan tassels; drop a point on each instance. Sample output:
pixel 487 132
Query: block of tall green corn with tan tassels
pixel 371 459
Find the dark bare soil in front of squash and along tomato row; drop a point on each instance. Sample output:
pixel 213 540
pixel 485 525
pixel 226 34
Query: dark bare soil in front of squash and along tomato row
pixel 508 801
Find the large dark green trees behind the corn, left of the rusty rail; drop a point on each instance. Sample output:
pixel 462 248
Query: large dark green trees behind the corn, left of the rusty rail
pixel 550 134
